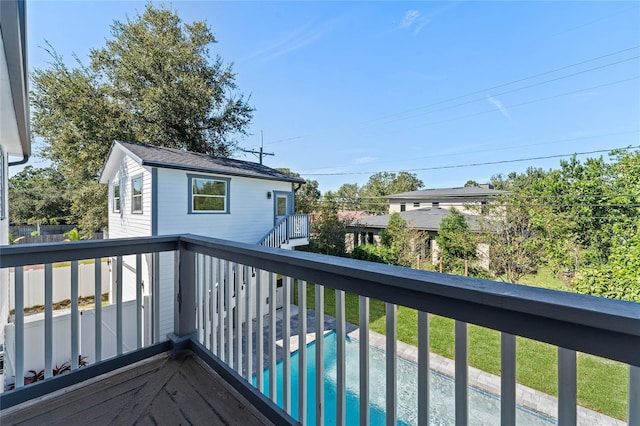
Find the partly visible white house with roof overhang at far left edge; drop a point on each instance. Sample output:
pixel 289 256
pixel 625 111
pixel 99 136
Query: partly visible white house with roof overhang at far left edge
pixel 14 128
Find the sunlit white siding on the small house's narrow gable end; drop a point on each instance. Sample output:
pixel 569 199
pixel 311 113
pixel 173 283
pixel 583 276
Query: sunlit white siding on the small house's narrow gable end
pixel 128 224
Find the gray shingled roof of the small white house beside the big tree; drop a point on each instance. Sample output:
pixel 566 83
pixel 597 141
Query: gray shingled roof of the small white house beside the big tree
pixel 155 156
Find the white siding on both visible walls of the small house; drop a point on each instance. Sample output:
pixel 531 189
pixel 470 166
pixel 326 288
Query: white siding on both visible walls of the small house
pixel 251 215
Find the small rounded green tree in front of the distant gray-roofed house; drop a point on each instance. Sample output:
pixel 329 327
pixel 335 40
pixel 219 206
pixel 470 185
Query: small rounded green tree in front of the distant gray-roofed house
pixel 456 242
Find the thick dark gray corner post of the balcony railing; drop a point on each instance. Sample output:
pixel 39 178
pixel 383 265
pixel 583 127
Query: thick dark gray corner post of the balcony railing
pixel 185 288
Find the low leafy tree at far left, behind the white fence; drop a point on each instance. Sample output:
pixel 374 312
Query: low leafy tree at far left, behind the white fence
pixel 39 196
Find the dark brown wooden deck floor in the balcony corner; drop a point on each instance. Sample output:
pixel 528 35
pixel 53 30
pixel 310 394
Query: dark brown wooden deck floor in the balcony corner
pixel 158 391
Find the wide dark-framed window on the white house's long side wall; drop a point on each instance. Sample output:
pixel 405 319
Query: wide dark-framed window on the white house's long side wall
pixel 208 195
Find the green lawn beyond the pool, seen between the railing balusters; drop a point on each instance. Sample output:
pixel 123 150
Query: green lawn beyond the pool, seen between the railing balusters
pixel 602 384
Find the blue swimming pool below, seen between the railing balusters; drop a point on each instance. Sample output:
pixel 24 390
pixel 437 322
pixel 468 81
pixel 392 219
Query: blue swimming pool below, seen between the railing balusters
pixel 484 408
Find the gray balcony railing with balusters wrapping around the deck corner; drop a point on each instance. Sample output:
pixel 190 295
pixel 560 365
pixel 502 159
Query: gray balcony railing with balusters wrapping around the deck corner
pixel 220 286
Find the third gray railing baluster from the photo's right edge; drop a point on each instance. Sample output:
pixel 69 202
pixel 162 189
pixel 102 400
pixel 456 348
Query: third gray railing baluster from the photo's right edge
pixel 508 380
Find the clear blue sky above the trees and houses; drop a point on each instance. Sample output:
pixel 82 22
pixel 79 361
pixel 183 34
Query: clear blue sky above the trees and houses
pixel 342 89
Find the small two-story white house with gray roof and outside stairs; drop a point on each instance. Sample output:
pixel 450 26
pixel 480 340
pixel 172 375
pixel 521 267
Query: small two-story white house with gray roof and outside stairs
pixel 163 191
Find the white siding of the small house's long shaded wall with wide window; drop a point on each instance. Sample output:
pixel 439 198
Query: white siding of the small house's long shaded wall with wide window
pixel 250 217
